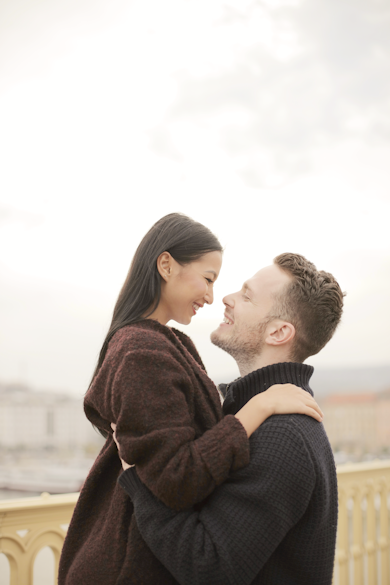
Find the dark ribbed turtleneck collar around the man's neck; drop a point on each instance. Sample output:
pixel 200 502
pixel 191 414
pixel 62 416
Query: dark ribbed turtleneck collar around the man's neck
pixel 243 389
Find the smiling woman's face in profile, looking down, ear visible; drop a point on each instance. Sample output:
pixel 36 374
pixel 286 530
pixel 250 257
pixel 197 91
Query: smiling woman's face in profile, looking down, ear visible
pixel 185 289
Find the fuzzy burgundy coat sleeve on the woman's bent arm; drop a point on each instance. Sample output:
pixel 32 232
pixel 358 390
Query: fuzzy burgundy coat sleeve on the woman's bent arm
pixel 155 431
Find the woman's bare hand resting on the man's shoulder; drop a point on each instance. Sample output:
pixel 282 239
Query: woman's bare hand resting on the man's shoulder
pixel 279 399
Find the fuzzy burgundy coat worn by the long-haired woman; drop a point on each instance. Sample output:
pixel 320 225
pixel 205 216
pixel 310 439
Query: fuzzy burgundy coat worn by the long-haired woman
pixel 153 385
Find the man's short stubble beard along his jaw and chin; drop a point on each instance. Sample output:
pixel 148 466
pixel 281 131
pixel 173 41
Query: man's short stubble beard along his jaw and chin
pixel 244 346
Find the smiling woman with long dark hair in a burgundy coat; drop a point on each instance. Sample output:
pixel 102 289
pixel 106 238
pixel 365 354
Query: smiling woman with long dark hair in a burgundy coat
pixel 151 383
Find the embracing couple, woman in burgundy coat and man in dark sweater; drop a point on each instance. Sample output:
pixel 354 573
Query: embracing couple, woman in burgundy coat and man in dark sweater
pixel 202 493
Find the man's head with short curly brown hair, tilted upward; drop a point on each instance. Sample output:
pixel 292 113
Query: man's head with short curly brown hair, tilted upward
pixel 286 312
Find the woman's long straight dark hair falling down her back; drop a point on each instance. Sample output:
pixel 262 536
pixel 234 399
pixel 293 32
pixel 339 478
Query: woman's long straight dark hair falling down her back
pixel 186 240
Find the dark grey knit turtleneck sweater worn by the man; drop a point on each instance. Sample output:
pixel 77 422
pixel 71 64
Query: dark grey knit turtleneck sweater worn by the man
pixel 271 523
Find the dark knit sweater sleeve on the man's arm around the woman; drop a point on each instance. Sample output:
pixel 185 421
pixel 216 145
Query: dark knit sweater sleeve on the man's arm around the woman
pixel 231 538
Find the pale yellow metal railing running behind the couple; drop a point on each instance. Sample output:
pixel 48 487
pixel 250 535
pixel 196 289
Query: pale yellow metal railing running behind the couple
pixel 362 554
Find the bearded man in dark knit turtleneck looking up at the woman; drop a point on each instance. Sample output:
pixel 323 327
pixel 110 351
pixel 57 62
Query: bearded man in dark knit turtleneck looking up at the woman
pixel 274 521
